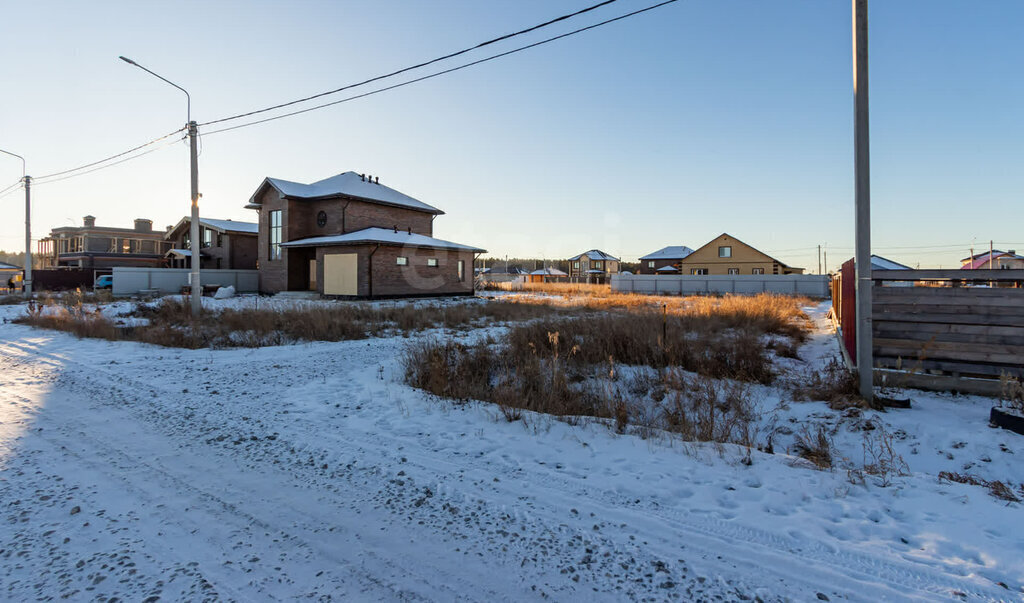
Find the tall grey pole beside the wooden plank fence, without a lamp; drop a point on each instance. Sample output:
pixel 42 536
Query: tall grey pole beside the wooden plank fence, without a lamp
pixel 866 361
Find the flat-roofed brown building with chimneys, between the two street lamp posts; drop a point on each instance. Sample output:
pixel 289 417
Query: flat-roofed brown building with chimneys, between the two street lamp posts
pixel 92 247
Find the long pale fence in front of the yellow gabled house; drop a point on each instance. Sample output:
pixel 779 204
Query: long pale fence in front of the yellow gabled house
pixel 810 285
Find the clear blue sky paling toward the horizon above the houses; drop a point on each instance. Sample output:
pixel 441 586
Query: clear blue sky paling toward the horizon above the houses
pixel 669 128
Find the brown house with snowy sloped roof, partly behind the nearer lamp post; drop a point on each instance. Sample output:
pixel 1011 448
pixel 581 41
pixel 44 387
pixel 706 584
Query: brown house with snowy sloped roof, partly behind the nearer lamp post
pixel 225 244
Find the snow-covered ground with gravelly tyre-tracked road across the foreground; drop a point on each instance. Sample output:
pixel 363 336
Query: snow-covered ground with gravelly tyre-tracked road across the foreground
pixel 313 471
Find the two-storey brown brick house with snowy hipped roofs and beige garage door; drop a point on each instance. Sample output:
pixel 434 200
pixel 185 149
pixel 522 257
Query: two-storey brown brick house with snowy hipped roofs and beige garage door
pixel 350 236
